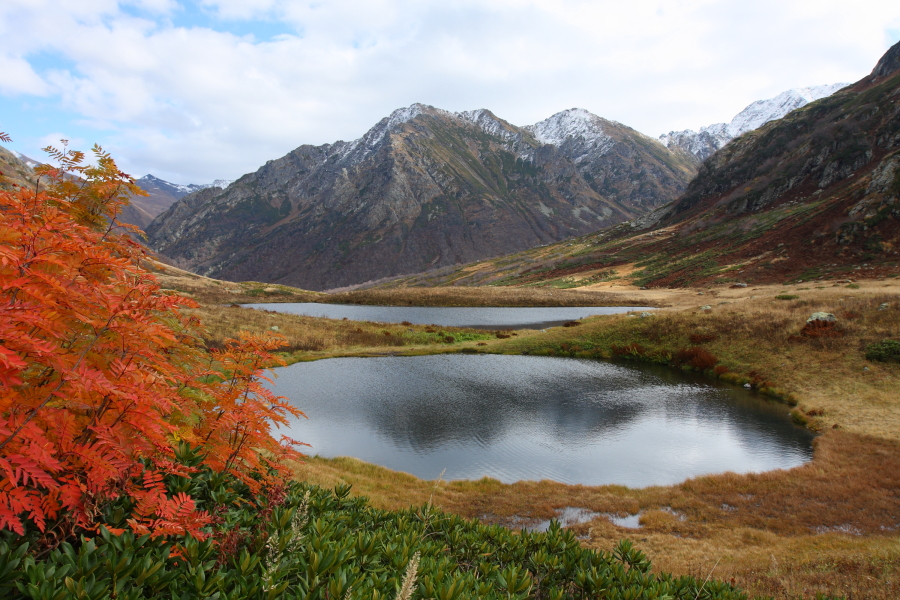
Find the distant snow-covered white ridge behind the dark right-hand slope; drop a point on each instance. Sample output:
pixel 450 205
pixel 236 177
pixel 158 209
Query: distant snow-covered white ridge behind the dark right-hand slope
pixel 705 142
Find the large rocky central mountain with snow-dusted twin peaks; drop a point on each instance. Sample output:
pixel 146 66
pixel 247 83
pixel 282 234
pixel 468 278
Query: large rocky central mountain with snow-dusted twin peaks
pixel 423 188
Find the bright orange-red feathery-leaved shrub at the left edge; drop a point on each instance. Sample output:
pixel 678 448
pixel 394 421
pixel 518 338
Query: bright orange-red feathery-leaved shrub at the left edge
pixel 102 374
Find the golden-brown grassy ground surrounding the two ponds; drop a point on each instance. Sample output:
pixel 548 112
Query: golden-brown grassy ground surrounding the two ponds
pixel 832 525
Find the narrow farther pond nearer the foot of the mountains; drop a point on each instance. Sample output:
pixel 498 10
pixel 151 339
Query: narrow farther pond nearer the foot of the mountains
pixel 477 317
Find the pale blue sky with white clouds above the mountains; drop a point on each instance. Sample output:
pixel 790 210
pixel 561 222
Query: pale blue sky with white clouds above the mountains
pixel 197 90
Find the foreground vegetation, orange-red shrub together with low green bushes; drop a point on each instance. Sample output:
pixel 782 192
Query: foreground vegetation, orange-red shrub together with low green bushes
pixel 137 462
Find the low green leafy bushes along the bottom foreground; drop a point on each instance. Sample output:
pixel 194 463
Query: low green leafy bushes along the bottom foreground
pixel 302 541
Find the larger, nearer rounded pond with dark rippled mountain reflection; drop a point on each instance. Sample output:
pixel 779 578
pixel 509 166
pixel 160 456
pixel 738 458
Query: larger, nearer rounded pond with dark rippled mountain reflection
pixel 530 418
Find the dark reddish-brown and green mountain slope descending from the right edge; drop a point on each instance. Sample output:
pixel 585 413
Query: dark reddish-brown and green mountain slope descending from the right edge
pixel 813 196
